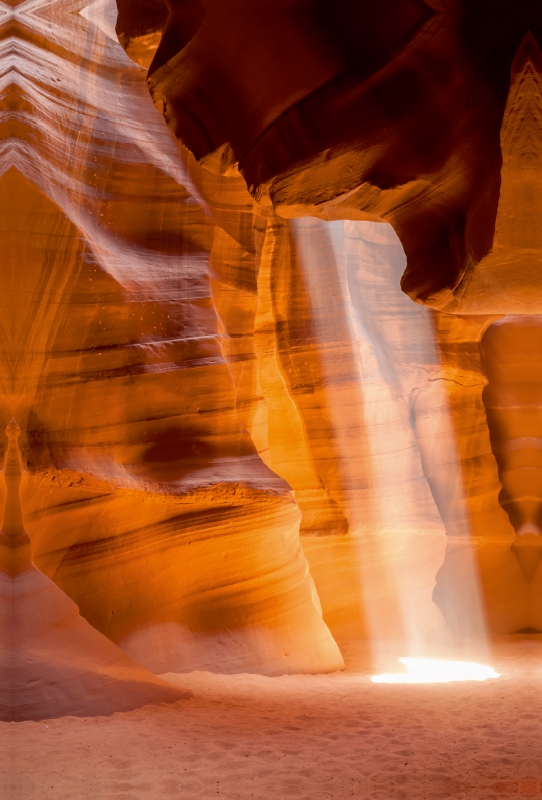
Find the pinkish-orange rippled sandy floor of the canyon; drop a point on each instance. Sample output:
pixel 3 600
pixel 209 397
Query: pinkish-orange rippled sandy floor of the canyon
pixel 304 737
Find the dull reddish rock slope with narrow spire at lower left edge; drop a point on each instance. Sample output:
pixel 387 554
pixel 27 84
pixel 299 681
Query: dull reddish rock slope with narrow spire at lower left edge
pixel 52 662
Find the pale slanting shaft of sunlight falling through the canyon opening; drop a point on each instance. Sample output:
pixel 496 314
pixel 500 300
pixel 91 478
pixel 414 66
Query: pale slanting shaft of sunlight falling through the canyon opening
pixel 400 480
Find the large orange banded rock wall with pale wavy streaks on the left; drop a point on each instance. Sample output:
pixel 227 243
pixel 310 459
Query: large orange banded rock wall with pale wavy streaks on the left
pixel 129 372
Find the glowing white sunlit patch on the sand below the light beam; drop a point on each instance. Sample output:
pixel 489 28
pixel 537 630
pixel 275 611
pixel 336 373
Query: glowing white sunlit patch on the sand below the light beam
pixel 435 670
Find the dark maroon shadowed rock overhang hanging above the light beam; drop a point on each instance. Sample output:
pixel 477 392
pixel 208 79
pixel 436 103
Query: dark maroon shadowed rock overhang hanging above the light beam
pixel 402 126
